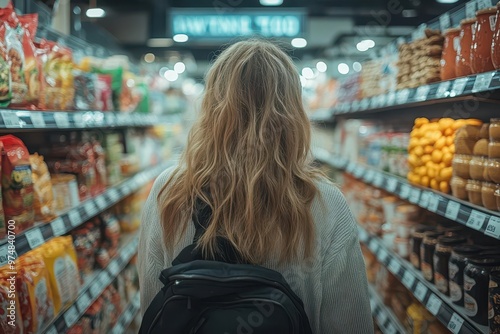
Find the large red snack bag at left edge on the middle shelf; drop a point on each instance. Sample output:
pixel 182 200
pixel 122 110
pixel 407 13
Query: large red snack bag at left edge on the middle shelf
pixel 17 183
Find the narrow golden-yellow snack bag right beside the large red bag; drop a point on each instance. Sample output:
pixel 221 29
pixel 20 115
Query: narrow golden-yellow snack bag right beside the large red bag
pixel 42 189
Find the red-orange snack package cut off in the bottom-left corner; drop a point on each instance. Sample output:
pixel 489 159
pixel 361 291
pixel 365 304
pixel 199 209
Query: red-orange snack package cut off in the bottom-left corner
pixel 10 317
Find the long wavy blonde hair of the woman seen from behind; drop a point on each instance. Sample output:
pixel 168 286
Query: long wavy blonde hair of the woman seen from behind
pixel 247 157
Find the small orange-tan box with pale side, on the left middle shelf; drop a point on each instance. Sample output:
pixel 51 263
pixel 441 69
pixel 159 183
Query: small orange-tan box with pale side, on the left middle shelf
pixel 65 190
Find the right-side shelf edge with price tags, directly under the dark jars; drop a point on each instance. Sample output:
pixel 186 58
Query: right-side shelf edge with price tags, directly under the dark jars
pixel 452 316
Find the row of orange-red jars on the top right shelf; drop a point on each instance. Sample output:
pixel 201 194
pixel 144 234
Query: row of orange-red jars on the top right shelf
pixel 474 47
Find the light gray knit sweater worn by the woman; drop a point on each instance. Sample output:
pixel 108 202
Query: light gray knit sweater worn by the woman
pixel 332 285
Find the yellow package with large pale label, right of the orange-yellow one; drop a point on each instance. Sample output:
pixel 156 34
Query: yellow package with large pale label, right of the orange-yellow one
pixel 60 261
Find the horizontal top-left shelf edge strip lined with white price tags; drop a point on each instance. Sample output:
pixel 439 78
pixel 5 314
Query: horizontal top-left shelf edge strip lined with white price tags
pixel 62 120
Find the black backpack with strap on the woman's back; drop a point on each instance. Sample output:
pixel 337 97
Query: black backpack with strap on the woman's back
pixel 222 295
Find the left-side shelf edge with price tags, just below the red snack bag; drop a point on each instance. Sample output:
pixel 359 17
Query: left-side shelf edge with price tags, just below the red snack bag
pixel 39 234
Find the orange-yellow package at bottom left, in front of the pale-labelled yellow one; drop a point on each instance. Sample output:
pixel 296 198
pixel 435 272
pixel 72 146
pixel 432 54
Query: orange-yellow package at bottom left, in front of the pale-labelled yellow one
pixel 35 294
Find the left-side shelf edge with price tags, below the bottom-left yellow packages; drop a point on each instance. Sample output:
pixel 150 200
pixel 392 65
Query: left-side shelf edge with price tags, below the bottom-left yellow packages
pixel 91 291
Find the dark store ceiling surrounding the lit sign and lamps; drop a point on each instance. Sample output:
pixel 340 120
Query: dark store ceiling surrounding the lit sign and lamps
pixel 333 29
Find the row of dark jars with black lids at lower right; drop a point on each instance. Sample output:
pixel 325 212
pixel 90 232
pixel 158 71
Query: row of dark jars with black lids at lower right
pixel 461 271
